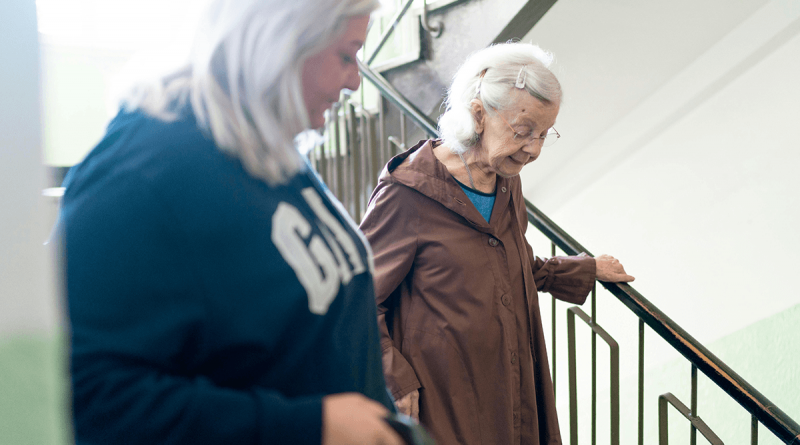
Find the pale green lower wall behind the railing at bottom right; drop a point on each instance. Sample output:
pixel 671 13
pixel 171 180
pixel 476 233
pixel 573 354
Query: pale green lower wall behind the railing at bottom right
pixel 766 354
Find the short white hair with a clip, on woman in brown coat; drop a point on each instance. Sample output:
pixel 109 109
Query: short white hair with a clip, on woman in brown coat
pixel 489 75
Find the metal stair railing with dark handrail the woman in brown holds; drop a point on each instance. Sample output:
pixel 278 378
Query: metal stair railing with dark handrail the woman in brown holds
pixel 356 149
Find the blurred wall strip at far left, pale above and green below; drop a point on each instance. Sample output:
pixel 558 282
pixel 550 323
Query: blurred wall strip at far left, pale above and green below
pixel 31 405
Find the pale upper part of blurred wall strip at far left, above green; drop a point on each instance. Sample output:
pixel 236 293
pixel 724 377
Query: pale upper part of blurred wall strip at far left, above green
pixel 25 292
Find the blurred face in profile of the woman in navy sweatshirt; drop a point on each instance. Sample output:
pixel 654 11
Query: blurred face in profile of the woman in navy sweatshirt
pixel 333 69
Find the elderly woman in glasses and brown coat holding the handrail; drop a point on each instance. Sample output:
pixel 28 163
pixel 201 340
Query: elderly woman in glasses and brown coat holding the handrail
pixel 456 281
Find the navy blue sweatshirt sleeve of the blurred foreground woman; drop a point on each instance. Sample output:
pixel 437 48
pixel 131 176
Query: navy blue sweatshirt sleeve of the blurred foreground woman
pixel 139 335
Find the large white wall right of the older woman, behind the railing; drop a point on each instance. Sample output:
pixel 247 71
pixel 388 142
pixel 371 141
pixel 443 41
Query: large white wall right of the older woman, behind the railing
pixel 680 156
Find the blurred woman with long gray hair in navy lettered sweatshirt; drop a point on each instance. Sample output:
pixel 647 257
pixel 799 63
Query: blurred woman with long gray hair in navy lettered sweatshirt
pixel 216 292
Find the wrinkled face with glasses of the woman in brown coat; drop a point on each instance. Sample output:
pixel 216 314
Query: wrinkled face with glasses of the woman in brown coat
pixel 499 151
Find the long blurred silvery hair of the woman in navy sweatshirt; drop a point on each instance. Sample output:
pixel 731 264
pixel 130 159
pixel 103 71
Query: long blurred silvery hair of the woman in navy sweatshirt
pixel 243 77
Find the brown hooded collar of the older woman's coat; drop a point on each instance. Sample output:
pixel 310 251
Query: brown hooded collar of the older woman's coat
pixel 419 169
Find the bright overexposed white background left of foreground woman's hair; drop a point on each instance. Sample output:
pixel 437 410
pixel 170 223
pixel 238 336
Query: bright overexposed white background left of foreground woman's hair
pixel 91 51
